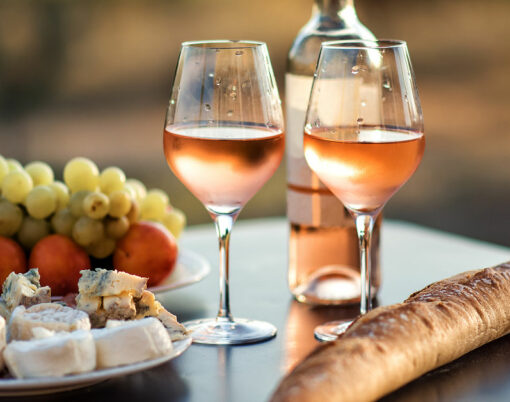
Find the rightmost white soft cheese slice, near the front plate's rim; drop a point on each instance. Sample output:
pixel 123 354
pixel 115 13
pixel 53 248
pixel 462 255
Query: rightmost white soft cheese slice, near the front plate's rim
pixel 127 342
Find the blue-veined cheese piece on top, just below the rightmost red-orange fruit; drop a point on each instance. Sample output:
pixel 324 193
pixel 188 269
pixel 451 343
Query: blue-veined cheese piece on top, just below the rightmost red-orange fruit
pixel 102 282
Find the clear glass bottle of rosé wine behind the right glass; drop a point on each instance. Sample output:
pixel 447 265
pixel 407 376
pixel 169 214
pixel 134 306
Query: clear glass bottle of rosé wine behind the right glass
pixel 323 245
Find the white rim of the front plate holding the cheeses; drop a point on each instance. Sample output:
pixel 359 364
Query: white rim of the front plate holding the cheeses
pixel 48 385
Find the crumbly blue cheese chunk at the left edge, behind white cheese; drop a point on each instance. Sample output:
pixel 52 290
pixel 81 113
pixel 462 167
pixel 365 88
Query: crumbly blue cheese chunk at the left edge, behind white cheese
pixel 25 290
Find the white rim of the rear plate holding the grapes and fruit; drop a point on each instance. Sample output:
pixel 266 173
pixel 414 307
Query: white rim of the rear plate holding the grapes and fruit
pixel 190 268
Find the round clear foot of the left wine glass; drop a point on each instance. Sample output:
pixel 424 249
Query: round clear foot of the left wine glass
pixel 240 331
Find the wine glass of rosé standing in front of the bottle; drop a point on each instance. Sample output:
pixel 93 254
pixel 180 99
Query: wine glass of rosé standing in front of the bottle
pixel 363 136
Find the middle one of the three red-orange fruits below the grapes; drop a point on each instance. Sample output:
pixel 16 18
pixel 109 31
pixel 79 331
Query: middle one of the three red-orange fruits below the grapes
pixel 60 261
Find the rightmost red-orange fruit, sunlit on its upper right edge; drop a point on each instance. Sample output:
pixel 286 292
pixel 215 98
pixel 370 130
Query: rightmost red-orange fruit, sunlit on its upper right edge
pixel 148 249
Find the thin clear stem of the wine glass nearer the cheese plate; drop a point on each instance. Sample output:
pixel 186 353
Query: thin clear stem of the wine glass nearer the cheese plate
pixel 223 224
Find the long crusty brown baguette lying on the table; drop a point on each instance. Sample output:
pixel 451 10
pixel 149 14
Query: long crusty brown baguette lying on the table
pixel 392 345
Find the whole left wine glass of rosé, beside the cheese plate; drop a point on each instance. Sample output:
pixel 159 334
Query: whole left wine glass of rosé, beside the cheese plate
pixel 224 139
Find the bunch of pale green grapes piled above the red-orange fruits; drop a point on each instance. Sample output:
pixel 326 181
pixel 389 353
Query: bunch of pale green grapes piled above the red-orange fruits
pixel 95 208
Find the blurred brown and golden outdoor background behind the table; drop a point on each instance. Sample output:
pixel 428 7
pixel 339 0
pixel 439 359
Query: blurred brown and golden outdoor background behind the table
pixel 93 78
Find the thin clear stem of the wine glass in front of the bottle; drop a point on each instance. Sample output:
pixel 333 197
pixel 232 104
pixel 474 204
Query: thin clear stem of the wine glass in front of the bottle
pixel 364 226
